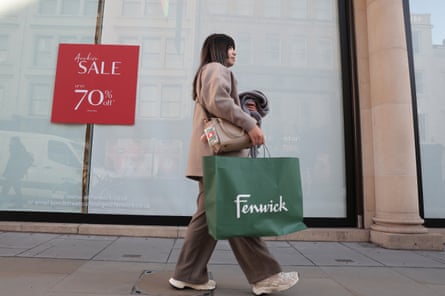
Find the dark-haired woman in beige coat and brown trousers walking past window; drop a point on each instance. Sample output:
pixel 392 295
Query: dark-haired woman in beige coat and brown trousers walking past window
pixel 215 88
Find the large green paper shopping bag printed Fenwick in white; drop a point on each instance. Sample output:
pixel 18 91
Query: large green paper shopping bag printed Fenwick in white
pixel 252 196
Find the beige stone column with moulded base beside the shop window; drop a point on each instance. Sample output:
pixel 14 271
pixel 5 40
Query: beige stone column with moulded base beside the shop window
pixel 397 223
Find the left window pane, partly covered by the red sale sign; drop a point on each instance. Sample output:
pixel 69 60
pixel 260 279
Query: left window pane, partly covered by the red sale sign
pixel 29 40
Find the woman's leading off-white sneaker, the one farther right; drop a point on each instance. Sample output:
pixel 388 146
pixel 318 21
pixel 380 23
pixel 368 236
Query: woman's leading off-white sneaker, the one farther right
pixel 276 283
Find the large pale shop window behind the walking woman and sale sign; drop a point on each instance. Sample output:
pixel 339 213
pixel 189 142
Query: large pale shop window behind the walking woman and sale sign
pixel 288 49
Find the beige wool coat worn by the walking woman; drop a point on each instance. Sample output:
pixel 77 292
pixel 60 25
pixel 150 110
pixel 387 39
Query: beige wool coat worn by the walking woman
pixel 217 91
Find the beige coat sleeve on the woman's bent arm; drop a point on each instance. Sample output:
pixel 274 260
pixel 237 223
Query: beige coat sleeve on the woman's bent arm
pixel 219 95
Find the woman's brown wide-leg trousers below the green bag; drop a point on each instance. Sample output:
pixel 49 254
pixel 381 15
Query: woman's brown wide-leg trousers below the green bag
pixel 251 253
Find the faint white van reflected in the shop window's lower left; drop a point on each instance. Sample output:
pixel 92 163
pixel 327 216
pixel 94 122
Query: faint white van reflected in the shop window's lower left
pixel 38 168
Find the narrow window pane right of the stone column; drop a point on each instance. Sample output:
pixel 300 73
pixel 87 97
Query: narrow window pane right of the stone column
pixel 428 34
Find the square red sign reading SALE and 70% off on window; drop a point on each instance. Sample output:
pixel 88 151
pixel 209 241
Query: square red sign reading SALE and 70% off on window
pixel 95 84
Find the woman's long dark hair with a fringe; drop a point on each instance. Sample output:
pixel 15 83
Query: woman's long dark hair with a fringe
pixel 214 49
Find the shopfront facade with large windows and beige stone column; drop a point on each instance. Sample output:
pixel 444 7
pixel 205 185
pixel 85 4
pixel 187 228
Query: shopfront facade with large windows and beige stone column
pixel 354 90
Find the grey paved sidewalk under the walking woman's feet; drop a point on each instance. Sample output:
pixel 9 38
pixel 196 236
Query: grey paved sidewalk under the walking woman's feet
pixel 49 264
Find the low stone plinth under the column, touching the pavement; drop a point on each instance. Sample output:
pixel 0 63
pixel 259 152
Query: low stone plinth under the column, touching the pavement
pixel 421 241
